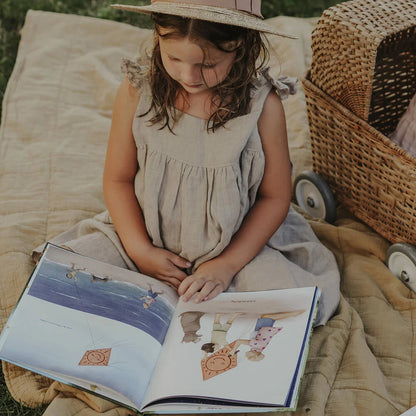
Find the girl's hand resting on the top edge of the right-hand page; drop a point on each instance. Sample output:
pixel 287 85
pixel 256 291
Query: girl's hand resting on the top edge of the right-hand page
pixel 209 280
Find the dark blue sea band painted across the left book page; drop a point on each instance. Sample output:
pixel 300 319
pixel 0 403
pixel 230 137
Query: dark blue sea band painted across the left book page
pixel 121 301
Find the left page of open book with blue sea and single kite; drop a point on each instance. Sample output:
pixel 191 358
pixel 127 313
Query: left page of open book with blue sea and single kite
pixel 90 321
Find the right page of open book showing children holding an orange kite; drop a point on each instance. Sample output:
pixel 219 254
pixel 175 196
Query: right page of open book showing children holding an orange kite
pixel 244 346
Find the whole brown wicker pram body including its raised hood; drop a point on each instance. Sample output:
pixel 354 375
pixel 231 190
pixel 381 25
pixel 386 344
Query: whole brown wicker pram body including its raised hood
pixel 362 78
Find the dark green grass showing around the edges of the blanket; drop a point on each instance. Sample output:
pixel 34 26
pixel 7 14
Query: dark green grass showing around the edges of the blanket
pixel 12 16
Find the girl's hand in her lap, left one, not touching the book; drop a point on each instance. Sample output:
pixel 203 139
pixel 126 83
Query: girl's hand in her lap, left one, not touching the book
pixel 162 265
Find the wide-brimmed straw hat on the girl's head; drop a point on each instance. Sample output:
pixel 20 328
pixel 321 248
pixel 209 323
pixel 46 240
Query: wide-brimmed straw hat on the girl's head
pixel 244 13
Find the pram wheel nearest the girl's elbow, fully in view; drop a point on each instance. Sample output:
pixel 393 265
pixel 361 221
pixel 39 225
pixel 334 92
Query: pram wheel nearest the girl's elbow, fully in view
pixel 314 196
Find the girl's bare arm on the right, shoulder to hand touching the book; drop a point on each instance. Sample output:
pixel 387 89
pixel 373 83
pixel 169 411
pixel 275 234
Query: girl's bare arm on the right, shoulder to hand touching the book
pixel 263 219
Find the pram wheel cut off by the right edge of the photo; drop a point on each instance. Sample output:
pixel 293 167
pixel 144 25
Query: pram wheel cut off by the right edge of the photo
pixel 401 260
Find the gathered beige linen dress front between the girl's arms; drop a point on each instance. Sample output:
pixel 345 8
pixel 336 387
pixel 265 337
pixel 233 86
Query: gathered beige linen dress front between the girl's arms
pixel 195 177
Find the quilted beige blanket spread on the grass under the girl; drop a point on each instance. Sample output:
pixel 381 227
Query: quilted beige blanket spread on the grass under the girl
pixel 55 123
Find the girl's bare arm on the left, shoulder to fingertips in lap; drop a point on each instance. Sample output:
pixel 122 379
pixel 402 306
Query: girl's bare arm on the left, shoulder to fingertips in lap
pixel 118 184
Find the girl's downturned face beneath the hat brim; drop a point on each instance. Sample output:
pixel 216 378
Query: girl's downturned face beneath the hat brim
pixel 195 69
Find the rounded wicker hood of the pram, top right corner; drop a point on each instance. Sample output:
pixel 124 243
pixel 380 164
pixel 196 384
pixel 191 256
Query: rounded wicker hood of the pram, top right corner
pixel 364 57
